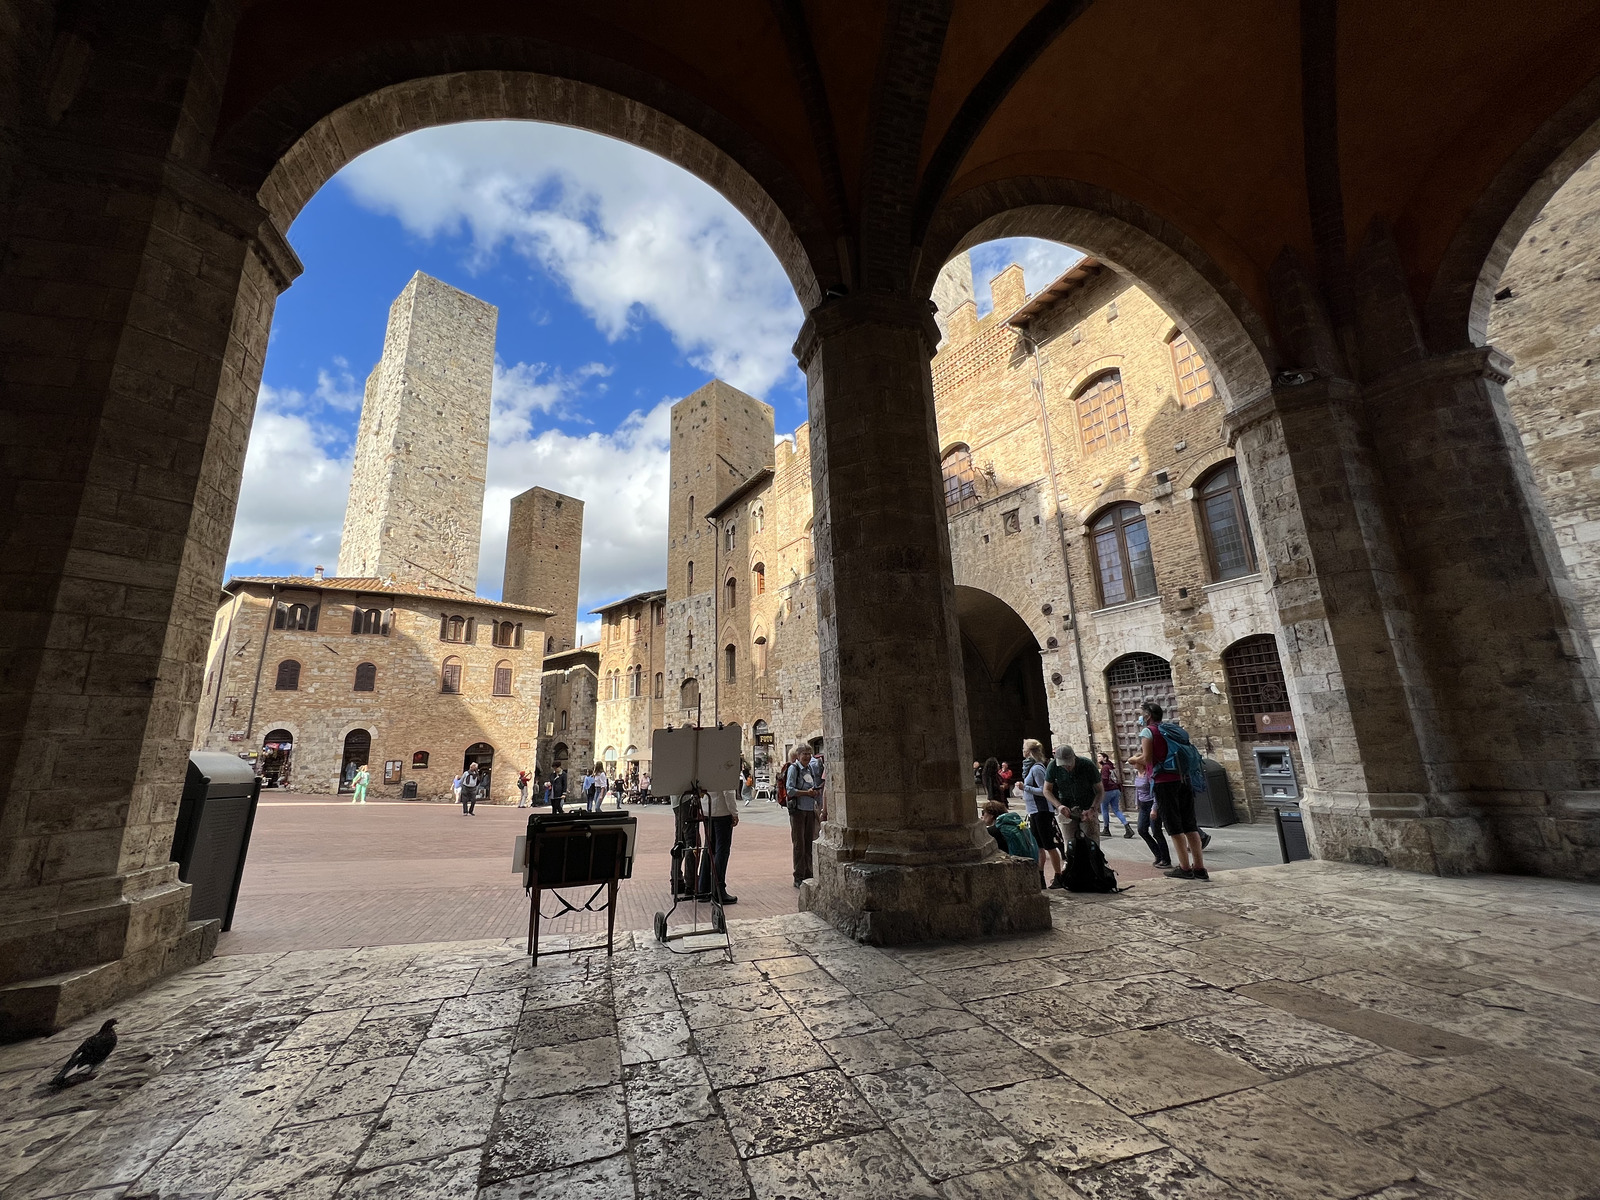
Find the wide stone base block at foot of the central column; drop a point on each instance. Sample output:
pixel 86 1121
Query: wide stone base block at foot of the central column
pixel 943 902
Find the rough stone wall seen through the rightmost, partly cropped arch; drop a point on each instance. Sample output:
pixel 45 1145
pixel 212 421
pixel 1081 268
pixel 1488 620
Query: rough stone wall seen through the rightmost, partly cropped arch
pixel 1546 318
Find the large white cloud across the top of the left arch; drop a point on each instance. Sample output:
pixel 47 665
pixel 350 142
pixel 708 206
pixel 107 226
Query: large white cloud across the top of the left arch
pixel 631 238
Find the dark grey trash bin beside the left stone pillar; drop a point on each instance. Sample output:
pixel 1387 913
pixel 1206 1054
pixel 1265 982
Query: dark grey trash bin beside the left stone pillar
pixel 215 818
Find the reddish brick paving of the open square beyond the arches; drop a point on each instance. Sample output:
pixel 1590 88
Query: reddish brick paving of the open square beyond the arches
pixel 327 874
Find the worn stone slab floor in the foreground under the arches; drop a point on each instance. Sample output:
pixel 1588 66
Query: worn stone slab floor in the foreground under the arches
pixel 1305 1031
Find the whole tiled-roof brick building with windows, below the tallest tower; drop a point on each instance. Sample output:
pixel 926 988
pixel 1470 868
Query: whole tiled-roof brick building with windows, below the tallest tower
pixel 414 682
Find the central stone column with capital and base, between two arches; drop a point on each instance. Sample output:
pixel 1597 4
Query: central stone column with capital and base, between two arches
pixel 903 855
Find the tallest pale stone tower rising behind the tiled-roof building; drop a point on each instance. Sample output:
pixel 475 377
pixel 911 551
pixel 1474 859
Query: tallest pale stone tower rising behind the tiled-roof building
pixel 422 452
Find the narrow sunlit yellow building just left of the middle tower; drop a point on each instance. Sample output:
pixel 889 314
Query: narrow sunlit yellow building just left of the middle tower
pixel 633 681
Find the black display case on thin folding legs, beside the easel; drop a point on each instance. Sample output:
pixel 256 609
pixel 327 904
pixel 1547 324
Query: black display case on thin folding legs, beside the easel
pixel 575 852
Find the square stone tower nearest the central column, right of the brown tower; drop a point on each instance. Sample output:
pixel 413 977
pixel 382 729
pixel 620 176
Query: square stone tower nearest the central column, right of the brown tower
pixel 721 438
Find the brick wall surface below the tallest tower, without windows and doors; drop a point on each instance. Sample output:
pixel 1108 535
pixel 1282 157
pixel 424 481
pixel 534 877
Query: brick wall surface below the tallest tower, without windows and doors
pixel 406 713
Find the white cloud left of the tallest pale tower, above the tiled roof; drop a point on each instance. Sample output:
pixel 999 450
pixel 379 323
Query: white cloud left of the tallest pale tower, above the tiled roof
pixel 294 492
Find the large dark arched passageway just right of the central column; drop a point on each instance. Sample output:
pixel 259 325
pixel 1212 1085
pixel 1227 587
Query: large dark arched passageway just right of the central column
pixel 1006 676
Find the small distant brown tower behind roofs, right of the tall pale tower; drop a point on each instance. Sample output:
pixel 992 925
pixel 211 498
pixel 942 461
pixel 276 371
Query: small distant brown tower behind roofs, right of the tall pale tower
pixel 543 548
